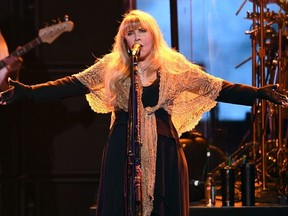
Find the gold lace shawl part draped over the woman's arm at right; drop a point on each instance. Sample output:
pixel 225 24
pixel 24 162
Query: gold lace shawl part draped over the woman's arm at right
pixel 189 95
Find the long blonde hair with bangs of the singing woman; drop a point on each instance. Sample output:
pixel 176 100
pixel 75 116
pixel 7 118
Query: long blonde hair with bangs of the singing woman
pixel 162 57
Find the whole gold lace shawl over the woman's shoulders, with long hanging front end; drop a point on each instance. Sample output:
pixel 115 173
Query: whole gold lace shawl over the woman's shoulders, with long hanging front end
pixel 185 96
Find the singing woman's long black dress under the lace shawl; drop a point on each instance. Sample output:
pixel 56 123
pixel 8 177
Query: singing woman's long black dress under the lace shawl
pixel 171 197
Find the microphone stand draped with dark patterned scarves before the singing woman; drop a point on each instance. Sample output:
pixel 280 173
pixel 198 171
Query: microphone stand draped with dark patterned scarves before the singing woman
pixel 134 197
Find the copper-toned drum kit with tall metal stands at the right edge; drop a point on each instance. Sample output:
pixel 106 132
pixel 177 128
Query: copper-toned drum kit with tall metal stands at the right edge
pixel 268 149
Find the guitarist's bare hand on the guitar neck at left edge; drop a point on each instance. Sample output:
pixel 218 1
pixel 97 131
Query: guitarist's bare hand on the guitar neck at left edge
pixel 13 65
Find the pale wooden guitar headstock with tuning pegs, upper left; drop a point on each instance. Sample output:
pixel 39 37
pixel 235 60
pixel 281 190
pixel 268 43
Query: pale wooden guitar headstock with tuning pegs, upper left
pixel 50 33
